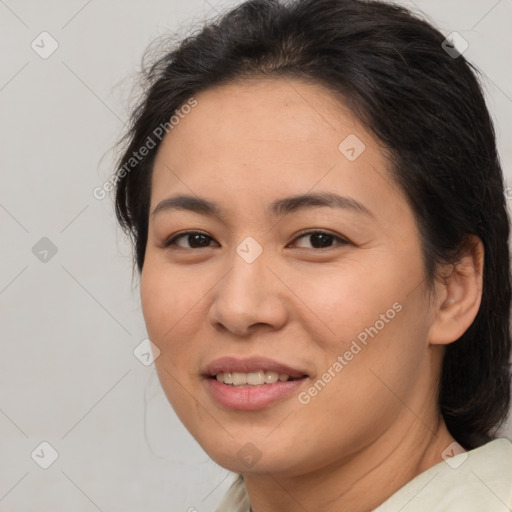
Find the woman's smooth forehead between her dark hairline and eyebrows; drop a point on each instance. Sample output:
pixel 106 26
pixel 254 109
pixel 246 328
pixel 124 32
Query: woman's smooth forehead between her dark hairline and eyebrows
pixel 277 137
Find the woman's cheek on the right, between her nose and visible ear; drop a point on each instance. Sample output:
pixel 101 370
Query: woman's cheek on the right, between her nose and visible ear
pixel 375 325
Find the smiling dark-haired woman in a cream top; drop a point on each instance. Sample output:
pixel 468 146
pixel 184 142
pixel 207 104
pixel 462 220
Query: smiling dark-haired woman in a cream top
pixel 319 222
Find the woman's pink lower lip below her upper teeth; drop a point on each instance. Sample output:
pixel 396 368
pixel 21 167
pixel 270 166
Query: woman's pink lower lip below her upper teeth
pixel 249 398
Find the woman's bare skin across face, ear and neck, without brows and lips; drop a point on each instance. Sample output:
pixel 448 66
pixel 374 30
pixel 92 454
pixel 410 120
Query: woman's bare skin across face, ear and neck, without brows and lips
pixel 375 425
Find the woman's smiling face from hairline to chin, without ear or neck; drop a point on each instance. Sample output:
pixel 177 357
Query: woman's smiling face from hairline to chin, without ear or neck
pixel 261 293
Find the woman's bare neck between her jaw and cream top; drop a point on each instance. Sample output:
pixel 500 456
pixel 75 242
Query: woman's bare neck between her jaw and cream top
pixel 360 482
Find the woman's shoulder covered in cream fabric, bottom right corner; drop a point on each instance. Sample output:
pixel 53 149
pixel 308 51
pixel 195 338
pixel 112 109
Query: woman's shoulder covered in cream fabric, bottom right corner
pixel 480 479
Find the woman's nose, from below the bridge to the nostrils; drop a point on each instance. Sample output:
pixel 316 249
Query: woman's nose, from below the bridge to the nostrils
pixel 249 298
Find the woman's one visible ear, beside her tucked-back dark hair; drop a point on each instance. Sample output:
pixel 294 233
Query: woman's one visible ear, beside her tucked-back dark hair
pixel 458 294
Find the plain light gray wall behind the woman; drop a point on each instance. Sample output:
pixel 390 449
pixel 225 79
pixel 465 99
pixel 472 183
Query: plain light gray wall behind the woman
pixel 68 374
